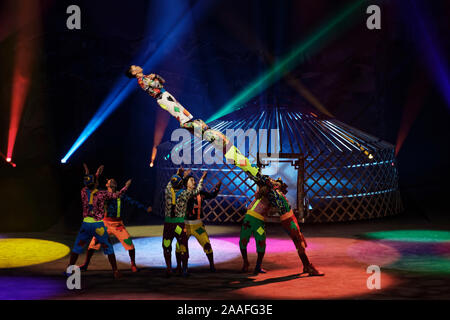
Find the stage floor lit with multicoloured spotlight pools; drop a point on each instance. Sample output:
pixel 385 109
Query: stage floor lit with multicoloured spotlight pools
pixel 415 264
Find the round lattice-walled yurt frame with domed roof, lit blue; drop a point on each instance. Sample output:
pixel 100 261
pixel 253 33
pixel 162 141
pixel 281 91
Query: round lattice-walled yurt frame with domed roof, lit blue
pixel 334 172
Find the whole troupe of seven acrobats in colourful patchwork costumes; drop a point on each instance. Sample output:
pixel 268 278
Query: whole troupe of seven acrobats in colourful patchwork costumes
pixel 184 202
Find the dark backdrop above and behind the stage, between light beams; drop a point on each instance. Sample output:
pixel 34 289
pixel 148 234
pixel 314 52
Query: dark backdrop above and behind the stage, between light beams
pixel 374 80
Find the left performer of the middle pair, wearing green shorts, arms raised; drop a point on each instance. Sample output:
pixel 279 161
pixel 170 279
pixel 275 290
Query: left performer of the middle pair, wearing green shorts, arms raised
pixel 176 199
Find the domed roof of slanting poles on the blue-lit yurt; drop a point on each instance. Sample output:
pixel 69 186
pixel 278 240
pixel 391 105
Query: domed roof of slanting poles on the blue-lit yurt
pixel 301 131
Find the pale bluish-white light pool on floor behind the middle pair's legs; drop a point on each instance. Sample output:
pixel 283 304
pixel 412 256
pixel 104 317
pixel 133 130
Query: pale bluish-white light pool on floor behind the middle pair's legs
pixel 149 252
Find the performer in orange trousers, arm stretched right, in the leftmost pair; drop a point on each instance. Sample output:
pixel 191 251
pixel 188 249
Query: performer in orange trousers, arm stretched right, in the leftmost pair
pixel 114 225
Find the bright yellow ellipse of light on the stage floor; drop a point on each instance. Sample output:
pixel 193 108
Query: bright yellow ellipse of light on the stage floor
pixel 25 252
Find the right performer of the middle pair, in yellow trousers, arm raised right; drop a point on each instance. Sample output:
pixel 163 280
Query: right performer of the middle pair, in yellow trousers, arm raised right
pixel 194 224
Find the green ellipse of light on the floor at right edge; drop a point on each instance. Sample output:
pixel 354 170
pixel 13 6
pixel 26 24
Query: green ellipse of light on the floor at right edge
pixel 411 235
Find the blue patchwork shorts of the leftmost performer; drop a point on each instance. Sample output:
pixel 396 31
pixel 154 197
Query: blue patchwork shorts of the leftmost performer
pixel 89 230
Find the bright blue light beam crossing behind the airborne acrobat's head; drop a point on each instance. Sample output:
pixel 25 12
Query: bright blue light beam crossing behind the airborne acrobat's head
pixel 124 86
